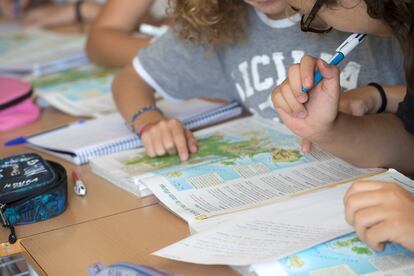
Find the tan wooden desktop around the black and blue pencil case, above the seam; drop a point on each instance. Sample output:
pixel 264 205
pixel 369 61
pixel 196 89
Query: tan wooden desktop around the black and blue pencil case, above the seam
pixel 103 199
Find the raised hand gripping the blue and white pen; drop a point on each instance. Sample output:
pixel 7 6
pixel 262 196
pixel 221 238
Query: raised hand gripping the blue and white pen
pixel 311 114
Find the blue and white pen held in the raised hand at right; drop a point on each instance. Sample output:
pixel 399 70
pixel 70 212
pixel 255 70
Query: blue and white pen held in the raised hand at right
pixel 343 50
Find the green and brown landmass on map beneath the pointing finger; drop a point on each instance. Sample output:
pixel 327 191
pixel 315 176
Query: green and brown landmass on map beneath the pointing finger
pixel 215 146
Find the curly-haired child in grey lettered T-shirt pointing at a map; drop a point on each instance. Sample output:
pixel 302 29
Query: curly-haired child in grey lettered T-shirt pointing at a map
pixel 232 50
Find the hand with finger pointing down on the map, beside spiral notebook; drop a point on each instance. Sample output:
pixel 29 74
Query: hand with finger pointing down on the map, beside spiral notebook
pixel 168 136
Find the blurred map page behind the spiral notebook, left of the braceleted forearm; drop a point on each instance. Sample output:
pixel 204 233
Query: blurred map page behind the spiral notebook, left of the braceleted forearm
pixel 84 91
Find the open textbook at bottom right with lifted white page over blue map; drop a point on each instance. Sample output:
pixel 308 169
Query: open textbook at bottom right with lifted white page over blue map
pixel 266 240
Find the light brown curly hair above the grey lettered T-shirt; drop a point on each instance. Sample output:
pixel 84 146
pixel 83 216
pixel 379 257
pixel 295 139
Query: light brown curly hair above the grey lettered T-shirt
pixel 209 21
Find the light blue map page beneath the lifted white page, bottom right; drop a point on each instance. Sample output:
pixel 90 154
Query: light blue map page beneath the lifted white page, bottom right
pixel 346 255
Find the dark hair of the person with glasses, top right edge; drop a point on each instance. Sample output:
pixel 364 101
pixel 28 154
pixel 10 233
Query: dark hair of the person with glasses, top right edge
pixel 399 15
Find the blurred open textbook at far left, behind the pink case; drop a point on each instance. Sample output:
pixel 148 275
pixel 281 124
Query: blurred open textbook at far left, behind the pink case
pixel 37 52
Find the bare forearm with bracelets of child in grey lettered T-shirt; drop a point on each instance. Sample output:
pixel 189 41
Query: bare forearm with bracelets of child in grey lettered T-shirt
pixel 131 93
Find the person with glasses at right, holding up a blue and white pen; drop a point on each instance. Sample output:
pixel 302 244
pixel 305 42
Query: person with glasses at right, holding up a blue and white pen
pixel 379 211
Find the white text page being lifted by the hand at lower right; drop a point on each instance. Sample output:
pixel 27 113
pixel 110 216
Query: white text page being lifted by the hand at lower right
pixel 279 230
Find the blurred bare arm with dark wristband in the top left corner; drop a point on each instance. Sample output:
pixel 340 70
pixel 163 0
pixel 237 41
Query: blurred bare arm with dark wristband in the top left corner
pixel 43 14
